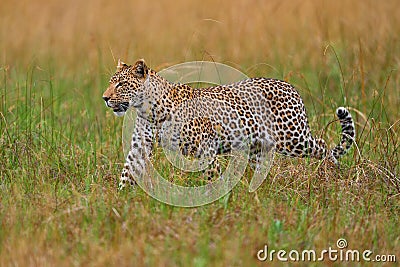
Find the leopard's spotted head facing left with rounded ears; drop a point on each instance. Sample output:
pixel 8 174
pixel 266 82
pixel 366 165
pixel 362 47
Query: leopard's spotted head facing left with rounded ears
pixel 126 87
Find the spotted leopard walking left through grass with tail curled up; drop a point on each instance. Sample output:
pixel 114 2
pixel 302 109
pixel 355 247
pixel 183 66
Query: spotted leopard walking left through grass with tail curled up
pixel 266 112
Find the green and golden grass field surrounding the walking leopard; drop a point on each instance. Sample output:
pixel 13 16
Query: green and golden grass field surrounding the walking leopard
pixel 61 150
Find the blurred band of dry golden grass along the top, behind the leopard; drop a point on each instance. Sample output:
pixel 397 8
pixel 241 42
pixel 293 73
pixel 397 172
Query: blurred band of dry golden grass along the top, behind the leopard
pixel 243 32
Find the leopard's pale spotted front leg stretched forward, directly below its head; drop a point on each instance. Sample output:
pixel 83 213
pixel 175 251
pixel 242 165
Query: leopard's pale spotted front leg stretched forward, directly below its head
pixel 141 147
